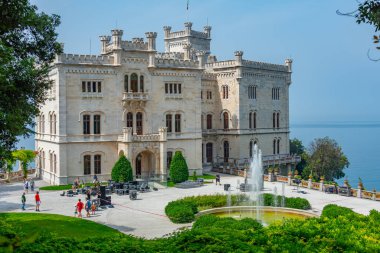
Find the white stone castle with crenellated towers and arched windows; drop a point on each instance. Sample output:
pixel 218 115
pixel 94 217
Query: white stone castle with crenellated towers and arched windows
pixel 132 100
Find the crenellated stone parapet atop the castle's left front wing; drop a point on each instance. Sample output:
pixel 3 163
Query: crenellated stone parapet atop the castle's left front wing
pixel 85 59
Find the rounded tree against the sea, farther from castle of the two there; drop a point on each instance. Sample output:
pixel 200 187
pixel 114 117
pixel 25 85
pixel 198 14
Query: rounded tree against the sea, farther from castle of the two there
pixel 326 158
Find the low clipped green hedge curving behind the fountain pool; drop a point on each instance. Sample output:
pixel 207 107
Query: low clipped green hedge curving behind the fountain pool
pixel 178 209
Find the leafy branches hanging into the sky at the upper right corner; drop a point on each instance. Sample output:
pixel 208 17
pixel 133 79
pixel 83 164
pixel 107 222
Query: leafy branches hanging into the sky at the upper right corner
pixel 368 12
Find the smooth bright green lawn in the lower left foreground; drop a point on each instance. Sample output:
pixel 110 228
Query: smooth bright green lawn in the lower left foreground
pixel 63 226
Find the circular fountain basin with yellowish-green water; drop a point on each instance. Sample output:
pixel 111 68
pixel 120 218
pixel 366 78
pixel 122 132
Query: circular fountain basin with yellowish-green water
pixel 268 214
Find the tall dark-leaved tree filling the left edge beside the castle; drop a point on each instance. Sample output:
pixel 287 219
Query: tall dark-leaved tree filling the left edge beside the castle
pixel 27 48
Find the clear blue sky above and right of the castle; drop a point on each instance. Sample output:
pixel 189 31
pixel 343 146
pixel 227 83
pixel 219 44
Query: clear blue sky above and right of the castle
pixel 333 80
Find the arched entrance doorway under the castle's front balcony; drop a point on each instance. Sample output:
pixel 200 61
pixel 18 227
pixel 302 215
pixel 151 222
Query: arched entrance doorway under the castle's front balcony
pixel 145 165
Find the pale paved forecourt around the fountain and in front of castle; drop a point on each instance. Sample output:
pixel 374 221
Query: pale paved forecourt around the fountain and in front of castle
pixel 145 217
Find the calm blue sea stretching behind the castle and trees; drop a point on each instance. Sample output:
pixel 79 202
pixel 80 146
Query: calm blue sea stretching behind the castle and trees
pixel 360 142
